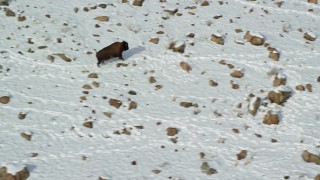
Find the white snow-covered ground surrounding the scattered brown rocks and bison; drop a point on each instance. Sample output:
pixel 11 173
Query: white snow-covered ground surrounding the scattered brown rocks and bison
pixel 133 144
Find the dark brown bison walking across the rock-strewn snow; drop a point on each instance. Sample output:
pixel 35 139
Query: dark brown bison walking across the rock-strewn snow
pixel 113 50
